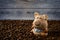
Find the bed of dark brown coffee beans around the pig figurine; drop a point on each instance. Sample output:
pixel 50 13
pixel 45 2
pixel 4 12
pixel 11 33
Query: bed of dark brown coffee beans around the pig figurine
pixel 20 30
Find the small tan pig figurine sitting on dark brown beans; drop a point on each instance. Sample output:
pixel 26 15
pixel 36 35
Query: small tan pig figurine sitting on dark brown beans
pixel 40 24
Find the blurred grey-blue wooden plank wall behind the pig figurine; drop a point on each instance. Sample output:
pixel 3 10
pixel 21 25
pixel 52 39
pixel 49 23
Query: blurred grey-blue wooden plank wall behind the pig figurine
pixel 24 9
